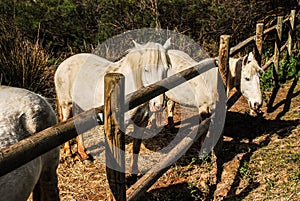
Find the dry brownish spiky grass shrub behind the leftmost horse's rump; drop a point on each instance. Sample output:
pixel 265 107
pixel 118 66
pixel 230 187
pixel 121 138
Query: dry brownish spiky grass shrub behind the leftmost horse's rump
pixel 24 64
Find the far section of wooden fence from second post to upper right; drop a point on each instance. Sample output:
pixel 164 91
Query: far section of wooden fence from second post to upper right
pixel 225 51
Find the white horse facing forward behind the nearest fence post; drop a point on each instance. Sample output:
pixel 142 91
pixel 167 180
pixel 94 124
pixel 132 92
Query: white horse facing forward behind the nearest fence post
pixel 79 81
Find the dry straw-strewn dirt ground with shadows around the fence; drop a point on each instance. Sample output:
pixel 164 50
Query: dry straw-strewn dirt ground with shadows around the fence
pixel 260 159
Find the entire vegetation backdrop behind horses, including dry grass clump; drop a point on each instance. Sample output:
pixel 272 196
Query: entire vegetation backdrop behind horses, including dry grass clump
pixel 36 35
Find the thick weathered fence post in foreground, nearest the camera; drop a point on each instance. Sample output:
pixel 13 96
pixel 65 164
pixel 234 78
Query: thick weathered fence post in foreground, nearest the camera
pixel 114 86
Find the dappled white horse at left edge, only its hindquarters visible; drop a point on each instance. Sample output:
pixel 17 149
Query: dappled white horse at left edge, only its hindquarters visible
pixel 24 113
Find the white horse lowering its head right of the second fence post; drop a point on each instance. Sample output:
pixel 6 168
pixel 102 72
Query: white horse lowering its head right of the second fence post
pixel 202 92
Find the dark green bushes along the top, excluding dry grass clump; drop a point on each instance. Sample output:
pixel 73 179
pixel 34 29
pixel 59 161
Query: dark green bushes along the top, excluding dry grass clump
pixel 67 25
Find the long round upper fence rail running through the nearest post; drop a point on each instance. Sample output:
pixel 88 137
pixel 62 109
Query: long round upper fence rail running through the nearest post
pixel 25 150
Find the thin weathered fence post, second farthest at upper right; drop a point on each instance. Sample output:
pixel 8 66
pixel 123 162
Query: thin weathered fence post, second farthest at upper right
pixel 277 47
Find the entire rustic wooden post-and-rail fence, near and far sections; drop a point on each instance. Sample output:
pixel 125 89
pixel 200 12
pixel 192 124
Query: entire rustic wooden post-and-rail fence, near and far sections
pixel 22 152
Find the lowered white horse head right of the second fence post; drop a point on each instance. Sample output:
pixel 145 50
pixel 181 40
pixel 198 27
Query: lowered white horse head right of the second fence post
pixel 250 82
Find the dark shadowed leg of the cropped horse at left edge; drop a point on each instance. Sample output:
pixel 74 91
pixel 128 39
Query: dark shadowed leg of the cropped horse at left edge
pixel 46 188
